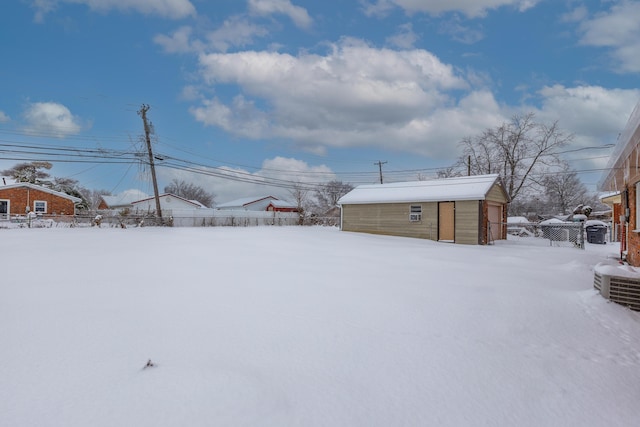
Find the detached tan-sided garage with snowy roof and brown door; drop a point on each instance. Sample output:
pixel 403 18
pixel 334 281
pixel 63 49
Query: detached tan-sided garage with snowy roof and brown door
pixel 469 210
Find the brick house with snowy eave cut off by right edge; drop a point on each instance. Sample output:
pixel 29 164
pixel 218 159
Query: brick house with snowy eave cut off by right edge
pixel 622 177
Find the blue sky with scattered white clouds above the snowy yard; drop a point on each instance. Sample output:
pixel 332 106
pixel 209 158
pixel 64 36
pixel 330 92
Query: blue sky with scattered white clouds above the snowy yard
pixel 282 91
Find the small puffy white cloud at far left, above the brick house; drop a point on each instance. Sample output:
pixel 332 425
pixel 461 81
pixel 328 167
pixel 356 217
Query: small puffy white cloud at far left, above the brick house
pixel 51 118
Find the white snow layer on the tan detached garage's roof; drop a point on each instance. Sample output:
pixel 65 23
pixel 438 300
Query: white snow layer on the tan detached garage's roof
pixel 458 188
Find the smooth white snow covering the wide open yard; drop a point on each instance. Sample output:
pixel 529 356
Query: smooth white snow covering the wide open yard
pixel 292 326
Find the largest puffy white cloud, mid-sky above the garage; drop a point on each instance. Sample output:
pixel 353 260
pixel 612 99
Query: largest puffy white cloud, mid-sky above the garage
pixel 355 95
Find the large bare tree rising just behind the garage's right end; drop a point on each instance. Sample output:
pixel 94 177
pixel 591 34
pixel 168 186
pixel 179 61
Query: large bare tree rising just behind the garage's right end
pixel 516 150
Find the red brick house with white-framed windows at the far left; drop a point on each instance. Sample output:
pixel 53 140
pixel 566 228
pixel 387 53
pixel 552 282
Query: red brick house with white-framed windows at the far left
pixel 23 197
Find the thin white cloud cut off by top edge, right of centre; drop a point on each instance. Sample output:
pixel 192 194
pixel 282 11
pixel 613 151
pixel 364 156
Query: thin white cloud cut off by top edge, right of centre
pixel 470 8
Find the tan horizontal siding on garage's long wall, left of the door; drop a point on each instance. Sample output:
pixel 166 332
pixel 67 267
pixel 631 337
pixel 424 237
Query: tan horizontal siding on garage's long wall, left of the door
pixel 391 219
